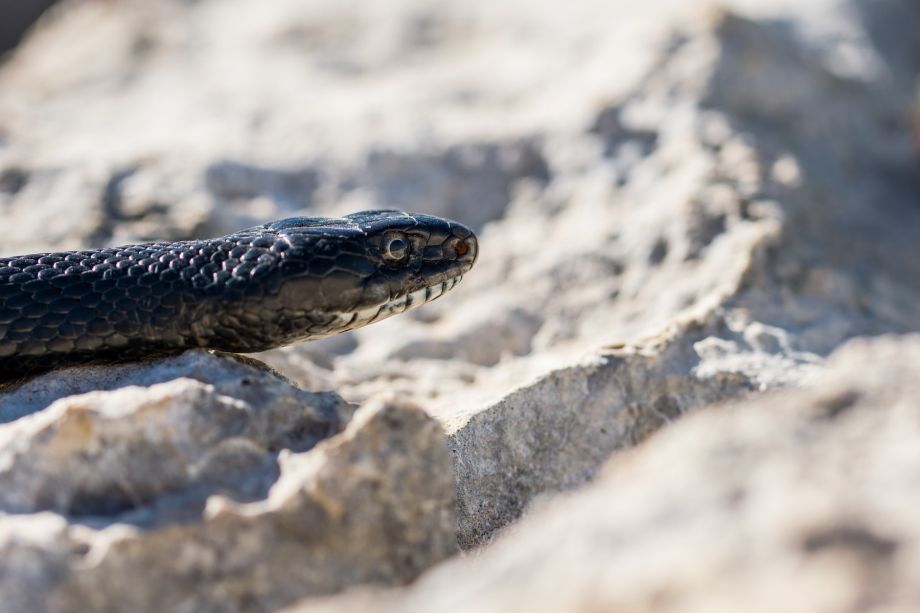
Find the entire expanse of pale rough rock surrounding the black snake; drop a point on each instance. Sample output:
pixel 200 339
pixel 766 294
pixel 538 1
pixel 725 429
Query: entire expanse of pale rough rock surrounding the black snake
pixel 680 205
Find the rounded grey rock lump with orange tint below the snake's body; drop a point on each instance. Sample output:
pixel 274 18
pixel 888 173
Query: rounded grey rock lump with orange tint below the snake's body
pixel 104 453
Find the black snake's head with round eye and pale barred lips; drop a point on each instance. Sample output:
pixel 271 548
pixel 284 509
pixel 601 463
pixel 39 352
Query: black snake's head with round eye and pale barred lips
pixel 343 273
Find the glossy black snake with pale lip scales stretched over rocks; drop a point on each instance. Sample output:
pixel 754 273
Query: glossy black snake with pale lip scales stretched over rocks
pixel 271 285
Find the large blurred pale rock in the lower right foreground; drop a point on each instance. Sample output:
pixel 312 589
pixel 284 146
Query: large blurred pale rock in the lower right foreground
pixel 803 500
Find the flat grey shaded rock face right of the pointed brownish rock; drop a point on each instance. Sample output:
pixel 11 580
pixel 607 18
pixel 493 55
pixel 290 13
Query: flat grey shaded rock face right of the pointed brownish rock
pixel 552 435
